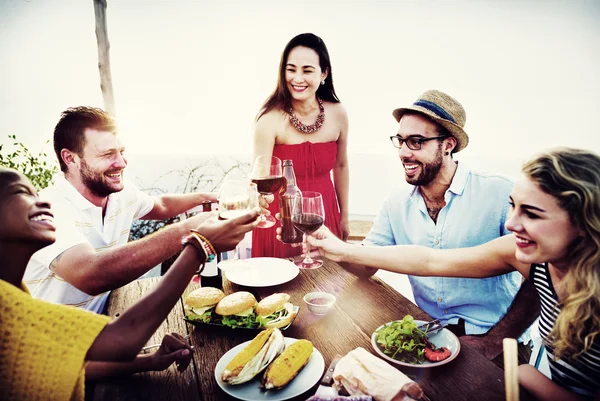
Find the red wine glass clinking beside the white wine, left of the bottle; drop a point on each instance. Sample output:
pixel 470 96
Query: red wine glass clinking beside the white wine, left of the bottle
pixel 267 175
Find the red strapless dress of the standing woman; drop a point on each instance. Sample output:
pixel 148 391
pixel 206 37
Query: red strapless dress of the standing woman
pixel 313 163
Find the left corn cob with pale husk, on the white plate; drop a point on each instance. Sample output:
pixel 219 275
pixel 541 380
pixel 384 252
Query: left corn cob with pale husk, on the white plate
pixel 255 357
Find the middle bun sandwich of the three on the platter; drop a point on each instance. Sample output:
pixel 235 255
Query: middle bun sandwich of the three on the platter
pixel 237 310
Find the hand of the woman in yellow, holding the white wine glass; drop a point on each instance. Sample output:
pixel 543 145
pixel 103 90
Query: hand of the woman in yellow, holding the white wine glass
pixel 224 235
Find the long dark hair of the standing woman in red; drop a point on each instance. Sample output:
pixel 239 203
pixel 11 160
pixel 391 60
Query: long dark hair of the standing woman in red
pixel 281 98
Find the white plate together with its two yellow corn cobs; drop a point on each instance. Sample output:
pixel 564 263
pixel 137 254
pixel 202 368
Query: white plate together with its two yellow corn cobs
pixel 259 370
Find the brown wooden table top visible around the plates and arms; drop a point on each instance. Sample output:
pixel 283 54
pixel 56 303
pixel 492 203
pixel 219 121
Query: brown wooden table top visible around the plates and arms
pixel 362 306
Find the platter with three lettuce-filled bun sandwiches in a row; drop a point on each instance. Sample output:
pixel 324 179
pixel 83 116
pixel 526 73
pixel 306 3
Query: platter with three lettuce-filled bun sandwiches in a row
pixel 239 310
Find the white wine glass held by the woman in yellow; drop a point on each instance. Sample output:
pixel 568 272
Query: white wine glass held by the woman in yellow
pixel 237 197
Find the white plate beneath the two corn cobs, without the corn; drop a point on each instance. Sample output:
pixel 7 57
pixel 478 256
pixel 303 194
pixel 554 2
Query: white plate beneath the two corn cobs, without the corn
pixel 250 391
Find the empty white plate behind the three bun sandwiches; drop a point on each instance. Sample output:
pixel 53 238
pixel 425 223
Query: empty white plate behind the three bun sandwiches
pixel 259 272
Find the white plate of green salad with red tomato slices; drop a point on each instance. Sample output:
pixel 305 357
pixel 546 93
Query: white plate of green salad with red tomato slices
pixel 401 342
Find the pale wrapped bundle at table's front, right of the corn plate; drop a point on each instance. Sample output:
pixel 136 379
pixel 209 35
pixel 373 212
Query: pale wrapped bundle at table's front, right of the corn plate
pixel 362 373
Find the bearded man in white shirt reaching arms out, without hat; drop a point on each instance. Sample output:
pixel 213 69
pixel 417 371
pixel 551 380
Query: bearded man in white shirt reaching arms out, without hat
pixel 93 211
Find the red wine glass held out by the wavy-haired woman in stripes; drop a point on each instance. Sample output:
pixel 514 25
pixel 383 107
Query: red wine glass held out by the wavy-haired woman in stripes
pixel 308 216
